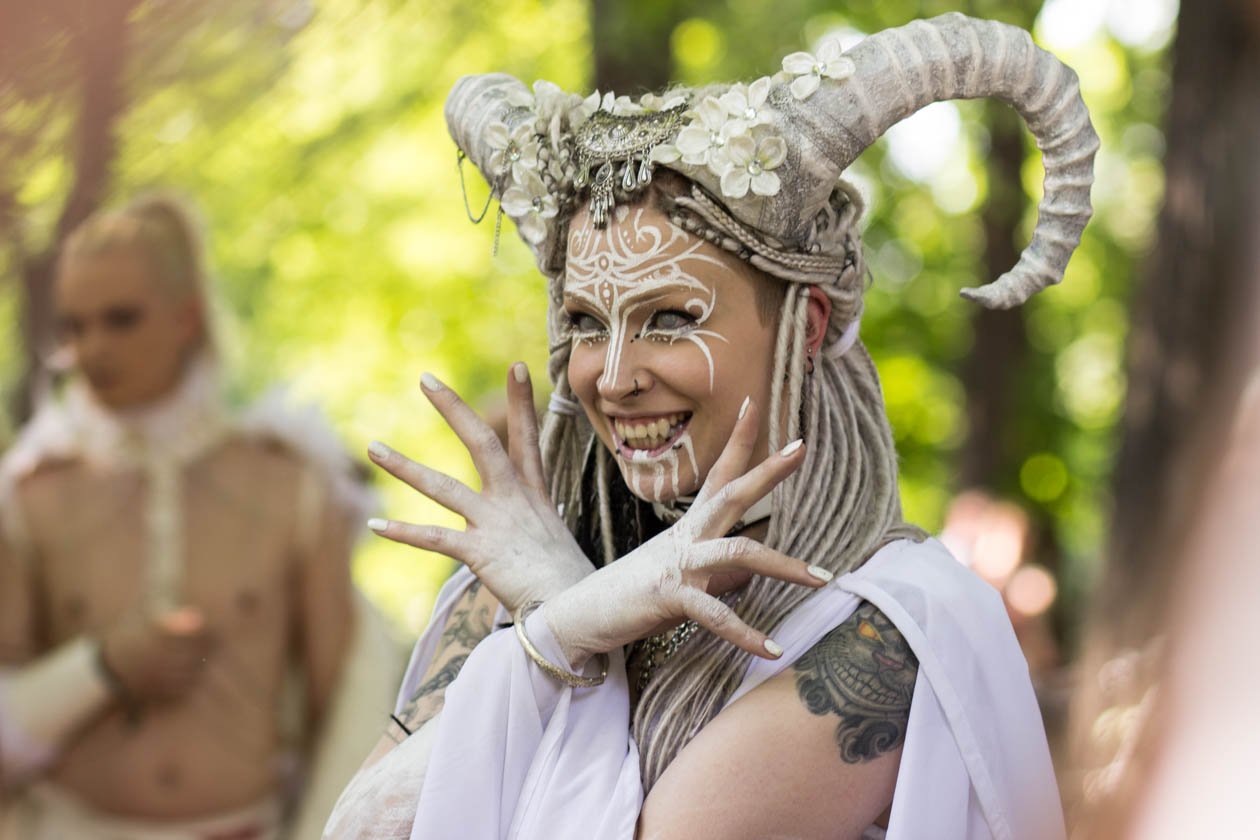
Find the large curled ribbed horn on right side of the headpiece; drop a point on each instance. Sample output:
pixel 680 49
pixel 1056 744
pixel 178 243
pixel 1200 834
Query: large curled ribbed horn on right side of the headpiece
pixel 956 57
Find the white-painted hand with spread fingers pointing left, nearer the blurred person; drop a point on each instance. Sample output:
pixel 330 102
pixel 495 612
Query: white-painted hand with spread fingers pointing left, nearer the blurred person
pixel 516 542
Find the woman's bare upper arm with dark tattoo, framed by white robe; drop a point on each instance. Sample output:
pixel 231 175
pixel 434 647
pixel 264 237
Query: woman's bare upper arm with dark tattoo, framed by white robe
pixel 812 752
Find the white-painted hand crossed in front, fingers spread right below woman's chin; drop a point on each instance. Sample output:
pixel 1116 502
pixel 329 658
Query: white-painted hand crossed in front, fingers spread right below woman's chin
pixel 677 575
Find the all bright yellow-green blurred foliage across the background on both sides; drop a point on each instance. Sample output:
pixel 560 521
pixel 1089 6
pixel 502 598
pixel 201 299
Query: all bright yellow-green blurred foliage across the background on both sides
pixel 347 266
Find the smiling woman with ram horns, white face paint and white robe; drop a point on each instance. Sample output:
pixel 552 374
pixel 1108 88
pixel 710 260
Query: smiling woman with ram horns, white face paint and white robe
pixel 697 613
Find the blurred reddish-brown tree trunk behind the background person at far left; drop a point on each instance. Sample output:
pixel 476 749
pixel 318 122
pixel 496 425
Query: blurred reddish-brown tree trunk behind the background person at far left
pixel 99 40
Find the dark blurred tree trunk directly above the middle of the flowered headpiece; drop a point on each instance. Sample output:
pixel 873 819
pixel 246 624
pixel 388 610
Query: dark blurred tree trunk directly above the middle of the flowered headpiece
pixel 632 45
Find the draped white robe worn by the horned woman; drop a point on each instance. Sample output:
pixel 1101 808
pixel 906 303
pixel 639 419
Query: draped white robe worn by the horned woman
pixel 517 755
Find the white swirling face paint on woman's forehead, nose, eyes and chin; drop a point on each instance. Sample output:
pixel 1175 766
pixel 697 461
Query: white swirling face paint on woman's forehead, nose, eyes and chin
pixel 618 278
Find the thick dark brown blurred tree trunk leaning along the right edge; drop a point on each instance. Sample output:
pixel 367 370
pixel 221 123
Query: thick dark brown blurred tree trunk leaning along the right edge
pixel 1189 349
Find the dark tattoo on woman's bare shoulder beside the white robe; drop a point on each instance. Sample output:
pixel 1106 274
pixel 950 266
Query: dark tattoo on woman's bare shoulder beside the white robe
pixel 864 673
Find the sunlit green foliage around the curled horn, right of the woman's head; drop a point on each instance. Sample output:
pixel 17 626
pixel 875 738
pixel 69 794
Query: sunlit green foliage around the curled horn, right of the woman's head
pixel 925 242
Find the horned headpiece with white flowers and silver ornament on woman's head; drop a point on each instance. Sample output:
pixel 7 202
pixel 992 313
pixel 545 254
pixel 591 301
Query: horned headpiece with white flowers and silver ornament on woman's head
pixel 770 154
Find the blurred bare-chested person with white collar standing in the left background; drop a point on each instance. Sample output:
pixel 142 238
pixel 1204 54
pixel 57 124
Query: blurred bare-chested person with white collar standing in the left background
pixel 177 616
